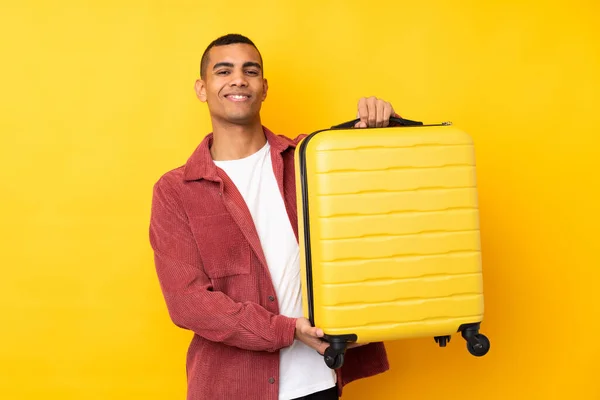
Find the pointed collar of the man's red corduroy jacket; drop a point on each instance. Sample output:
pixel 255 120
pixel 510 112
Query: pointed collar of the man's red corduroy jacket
pixel 200 165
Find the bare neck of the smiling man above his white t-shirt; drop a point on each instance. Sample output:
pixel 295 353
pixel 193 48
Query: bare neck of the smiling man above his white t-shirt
pixel 233 142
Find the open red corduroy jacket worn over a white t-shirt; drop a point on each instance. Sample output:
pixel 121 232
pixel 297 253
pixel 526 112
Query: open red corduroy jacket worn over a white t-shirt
pixel 216 283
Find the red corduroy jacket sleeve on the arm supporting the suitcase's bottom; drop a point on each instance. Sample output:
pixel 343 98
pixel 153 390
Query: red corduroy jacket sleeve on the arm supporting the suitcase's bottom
pixel 187 290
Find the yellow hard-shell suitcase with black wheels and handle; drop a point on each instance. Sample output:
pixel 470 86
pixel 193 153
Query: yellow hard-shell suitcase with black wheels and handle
pixel 389 235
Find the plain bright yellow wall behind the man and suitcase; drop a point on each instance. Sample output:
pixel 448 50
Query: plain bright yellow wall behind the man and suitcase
pixel 96 103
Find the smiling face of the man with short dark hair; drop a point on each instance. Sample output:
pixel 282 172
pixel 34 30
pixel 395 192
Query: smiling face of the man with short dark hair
pixel 233 86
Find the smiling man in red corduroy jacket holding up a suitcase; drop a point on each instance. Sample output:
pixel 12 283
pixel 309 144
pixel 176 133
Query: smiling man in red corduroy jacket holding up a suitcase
pixel 225 237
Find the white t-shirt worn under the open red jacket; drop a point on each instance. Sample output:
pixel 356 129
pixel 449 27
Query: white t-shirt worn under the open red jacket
pixel 302 370
